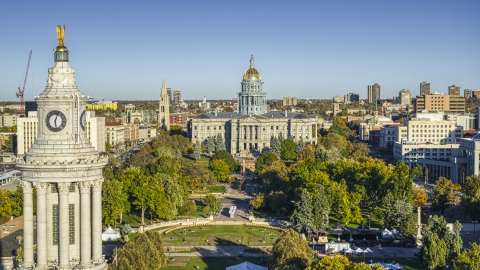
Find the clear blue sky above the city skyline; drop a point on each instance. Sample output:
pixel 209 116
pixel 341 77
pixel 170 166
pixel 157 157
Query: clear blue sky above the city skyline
pixel 308 49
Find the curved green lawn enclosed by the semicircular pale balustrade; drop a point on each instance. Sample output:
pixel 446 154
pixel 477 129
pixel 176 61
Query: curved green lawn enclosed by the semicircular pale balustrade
pixel 221 236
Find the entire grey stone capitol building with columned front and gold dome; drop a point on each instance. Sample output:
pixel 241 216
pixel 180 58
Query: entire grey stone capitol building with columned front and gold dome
pixel 251 128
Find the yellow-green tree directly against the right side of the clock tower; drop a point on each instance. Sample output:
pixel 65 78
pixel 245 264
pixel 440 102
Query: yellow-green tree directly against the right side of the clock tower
pixel 114 200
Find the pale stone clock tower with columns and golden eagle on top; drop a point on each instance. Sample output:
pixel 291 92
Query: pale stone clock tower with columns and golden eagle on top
pixel 66 172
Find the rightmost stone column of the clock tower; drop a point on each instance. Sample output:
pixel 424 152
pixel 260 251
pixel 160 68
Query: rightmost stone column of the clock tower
pixel 97 220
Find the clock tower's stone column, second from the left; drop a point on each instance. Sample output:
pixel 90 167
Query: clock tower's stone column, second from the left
pixel 42 224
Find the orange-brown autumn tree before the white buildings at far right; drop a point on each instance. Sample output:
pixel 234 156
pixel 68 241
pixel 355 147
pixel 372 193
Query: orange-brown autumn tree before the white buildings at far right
pixel 444 195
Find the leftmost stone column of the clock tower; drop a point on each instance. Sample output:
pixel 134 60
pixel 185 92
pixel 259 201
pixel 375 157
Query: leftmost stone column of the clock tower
pixel 27 224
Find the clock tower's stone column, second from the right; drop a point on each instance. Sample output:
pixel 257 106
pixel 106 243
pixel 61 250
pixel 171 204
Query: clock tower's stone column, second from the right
pixel 85 225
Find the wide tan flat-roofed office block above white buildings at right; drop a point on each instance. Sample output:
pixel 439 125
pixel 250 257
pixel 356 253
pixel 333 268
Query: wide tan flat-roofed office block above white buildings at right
pixel 440 102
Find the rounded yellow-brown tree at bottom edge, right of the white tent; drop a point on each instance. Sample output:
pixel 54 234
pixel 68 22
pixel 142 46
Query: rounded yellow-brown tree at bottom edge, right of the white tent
pixel 290 250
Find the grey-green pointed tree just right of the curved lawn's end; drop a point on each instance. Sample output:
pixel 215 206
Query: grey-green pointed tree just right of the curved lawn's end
pixel 302 216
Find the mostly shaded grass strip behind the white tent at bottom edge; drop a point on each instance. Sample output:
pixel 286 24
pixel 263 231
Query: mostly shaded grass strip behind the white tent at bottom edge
pixel 212 263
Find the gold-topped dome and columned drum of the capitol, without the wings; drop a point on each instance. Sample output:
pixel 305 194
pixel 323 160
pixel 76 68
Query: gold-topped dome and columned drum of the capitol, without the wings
pixel 252 99
